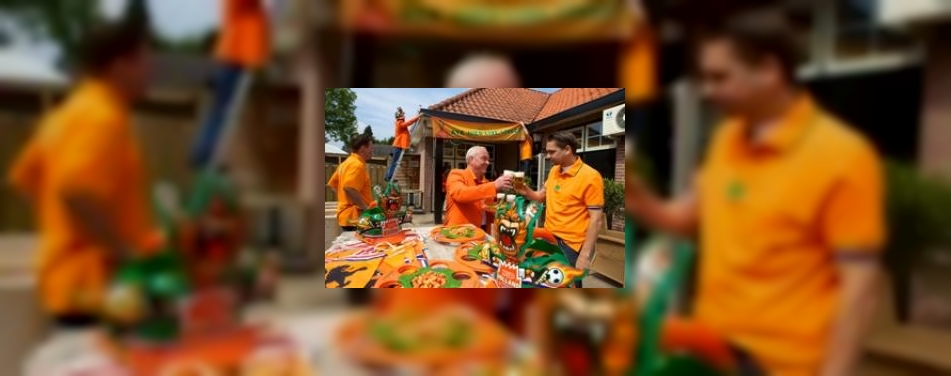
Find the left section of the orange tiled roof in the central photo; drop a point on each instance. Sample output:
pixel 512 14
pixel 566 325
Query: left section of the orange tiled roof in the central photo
pixel 501 104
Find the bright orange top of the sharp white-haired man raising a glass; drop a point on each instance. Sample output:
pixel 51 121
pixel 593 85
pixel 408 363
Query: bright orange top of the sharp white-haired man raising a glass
pixel 465 199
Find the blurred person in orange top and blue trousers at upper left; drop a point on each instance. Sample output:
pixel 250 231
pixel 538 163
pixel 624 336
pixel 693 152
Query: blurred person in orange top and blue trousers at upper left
pixel 243 47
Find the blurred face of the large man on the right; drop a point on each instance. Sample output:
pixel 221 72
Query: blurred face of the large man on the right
pixel 731 84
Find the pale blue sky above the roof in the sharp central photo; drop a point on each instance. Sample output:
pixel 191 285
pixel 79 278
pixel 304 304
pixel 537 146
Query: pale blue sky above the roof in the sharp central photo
pixel 376 107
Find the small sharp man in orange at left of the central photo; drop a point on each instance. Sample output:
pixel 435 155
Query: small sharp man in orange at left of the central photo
pixel 351 181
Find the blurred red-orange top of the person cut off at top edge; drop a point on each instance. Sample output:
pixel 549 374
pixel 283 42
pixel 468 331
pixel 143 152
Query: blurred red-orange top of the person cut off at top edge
pixel 244 38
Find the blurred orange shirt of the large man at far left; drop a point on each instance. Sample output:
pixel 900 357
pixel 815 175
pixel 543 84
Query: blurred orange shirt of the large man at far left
pixel 85 145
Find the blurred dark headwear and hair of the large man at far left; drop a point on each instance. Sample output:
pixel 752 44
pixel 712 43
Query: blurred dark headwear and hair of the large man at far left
pixel 107 42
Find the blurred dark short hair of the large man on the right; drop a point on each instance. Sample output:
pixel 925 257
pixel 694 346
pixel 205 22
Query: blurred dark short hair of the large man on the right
pixel 757 36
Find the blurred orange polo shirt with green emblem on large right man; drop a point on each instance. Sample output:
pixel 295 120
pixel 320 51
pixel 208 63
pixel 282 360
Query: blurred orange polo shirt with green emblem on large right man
pixel 772 217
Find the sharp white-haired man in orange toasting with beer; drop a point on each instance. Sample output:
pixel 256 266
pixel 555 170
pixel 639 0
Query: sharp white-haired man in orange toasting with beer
pixel 466 190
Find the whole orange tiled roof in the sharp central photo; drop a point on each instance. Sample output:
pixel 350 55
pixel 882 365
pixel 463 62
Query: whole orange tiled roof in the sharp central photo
pixel 525 105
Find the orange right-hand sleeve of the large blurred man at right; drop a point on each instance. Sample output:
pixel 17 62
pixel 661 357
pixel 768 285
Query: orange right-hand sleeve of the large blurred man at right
pixel 853 214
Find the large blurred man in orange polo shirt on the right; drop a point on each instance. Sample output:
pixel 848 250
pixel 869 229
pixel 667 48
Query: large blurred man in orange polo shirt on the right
pixel 788 208
